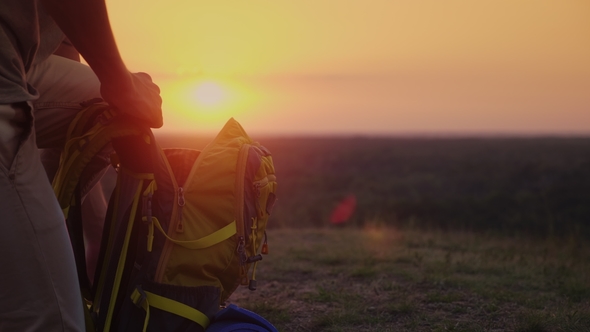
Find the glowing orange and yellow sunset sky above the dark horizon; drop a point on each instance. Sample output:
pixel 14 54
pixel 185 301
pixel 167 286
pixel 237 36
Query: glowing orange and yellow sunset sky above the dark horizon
pixel 364 66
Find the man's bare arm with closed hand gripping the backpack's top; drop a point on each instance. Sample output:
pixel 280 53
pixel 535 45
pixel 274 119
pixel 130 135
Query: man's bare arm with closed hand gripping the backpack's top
pixel 87 26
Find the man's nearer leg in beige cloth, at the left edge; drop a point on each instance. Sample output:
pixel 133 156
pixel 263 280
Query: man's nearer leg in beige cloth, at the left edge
pixel 39 286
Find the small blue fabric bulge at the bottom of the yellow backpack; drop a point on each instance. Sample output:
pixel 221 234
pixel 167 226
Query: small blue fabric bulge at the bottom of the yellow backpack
pixel 236 319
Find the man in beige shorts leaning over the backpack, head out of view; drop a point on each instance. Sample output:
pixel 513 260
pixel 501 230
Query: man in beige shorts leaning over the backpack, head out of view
pixel 39 94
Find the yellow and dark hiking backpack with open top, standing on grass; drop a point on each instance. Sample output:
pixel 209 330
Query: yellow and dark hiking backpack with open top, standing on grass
pixel 184 227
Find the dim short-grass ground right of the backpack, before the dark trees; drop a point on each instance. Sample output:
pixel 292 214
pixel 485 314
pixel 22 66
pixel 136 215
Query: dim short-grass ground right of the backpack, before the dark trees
pixel 383 279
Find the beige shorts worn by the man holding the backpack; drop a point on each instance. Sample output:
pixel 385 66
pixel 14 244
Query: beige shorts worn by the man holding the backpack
pixel 38 285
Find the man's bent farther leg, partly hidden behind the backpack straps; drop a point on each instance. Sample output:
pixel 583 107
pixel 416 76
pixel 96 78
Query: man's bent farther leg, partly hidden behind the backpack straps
pixel 63 84
